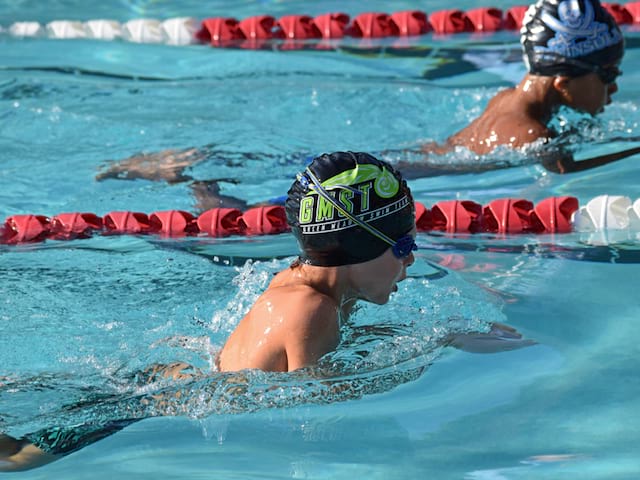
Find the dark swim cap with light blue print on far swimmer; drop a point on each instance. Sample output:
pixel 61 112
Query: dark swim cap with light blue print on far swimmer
pixel 555 32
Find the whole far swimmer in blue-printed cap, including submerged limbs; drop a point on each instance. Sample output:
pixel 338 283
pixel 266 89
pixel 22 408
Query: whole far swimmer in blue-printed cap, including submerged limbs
pixel 572 50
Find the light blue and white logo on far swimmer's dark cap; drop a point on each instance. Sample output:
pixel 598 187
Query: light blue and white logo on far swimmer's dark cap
pixel 577 33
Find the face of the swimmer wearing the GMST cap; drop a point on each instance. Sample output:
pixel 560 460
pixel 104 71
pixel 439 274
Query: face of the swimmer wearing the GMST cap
pixel 375 280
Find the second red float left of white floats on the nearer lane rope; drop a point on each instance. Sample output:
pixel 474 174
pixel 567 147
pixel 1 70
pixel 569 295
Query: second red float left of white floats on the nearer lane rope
pixel 507 215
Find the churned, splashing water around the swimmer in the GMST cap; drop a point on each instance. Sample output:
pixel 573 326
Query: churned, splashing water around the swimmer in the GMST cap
pixel 381 348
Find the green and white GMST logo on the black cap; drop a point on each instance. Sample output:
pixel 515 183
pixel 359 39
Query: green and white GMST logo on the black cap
pixel 359 192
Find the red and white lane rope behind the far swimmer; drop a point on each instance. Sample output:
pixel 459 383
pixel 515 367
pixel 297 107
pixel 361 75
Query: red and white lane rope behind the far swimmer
pixel 296 31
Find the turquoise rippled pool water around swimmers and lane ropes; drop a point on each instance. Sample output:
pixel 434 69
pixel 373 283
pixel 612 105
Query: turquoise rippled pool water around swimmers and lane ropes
pixel 80 317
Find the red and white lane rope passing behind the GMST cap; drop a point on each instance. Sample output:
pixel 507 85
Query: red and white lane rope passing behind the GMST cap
pixel 508 216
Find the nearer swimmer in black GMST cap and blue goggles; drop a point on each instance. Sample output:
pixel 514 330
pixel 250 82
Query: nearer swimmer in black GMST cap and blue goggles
pixel 353 217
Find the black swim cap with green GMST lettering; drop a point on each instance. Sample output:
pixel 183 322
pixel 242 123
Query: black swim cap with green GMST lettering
pixel 364 188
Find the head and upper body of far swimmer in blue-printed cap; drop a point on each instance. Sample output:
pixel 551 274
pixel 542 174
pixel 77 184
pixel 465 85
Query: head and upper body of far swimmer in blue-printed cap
pixel 572 51
